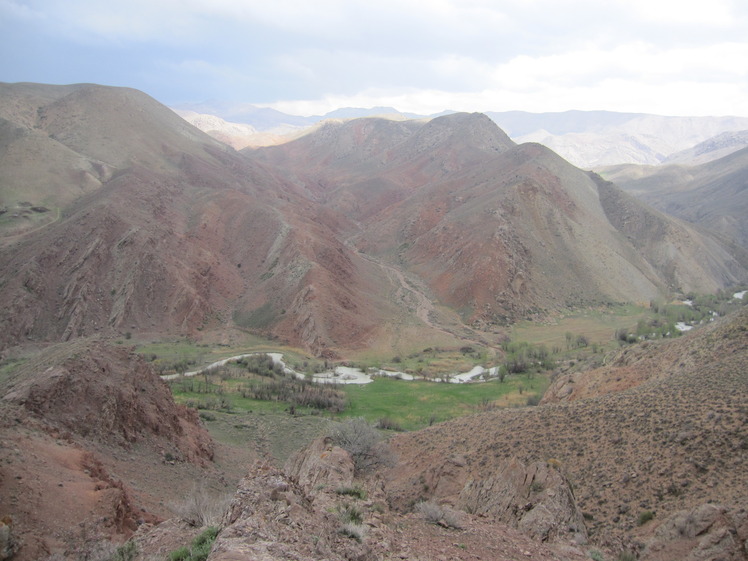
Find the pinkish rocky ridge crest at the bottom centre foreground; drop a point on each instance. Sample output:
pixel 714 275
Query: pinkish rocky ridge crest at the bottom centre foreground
pixel 273 518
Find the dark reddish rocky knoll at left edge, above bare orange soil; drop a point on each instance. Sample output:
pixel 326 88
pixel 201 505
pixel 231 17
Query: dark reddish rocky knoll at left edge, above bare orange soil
pixel 110 394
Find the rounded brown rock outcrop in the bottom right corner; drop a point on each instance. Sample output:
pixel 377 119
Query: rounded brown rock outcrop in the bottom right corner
pixel 706 533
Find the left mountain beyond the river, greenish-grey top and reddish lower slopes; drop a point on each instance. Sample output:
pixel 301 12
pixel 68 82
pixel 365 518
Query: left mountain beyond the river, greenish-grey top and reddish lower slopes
pixel 178 232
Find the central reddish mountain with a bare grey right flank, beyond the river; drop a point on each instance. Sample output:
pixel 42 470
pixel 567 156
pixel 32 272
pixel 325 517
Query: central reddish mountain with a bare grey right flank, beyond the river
pixel 496 230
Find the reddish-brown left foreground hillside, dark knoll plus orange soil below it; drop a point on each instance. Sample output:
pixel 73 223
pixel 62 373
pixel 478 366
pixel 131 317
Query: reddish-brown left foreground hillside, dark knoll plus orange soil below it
pixel 67 415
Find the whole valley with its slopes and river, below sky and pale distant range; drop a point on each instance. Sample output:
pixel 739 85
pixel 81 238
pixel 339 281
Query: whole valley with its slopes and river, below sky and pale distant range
pixel 599 342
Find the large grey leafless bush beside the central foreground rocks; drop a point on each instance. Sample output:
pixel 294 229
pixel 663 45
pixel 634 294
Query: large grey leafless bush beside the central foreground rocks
pixel 363 443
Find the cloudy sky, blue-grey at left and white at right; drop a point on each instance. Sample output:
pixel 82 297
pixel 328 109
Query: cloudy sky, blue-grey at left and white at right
pixel 671 57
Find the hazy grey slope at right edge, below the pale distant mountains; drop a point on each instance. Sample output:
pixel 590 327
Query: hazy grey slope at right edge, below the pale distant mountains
pixel 711 195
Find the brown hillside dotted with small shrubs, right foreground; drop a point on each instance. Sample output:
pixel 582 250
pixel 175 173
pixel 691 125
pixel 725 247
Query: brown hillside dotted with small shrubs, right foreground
pixel 674 440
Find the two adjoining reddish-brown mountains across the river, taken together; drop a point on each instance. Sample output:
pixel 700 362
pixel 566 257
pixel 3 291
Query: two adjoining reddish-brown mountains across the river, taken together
pixel 162 228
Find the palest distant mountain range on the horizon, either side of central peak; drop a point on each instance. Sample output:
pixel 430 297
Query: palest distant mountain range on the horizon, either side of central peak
pixel 588 139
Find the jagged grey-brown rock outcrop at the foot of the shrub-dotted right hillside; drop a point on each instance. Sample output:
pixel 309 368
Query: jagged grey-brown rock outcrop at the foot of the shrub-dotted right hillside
pixel 536 499
